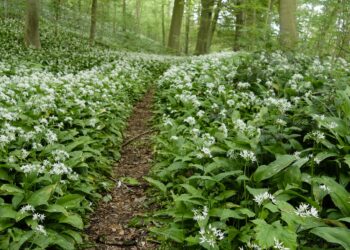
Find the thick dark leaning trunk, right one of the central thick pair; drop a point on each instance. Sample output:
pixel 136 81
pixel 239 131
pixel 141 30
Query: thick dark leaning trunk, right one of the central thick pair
pixel 204 27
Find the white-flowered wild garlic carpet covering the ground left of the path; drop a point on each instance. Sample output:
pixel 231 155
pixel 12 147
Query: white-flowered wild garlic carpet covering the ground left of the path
pixel 61 123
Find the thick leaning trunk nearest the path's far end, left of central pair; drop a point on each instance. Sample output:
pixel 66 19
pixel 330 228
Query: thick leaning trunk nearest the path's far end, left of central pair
pixel 175 27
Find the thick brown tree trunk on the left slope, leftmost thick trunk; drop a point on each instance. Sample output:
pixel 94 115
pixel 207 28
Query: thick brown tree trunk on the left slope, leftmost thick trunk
pixel 32 36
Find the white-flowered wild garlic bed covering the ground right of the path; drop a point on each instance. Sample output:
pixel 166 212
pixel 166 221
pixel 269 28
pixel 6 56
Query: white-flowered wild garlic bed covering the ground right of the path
pixel 253 153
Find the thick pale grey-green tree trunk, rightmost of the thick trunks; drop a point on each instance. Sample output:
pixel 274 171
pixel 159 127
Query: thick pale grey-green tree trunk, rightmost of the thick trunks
pixel 288 24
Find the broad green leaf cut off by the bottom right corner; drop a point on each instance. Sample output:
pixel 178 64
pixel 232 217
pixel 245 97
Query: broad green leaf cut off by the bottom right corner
pixel 337 235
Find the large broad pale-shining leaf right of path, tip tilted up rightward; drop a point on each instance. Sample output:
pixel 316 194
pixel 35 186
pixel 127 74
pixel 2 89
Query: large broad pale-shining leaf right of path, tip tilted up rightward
pixel 267 171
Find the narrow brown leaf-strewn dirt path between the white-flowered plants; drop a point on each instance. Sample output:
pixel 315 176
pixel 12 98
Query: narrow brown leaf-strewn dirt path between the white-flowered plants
pixel 110 224
